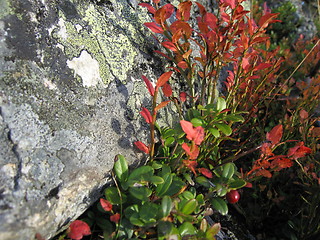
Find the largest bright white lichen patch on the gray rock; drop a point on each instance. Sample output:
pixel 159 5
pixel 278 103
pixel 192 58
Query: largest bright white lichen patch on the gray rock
pixel 87 68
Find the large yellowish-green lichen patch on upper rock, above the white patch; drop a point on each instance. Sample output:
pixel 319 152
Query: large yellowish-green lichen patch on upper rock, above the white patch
pixel 110 37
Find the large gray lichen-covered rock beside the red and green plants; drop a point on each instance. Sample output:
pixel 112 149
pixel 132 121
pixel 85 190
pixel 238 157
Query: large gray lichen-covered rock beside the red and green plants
pixel 70 95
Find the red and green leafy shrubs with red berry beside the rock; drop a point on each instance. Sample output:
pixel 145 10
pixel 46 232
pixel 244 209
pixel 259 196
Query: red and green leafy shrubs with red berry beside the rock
pixel 247 139
